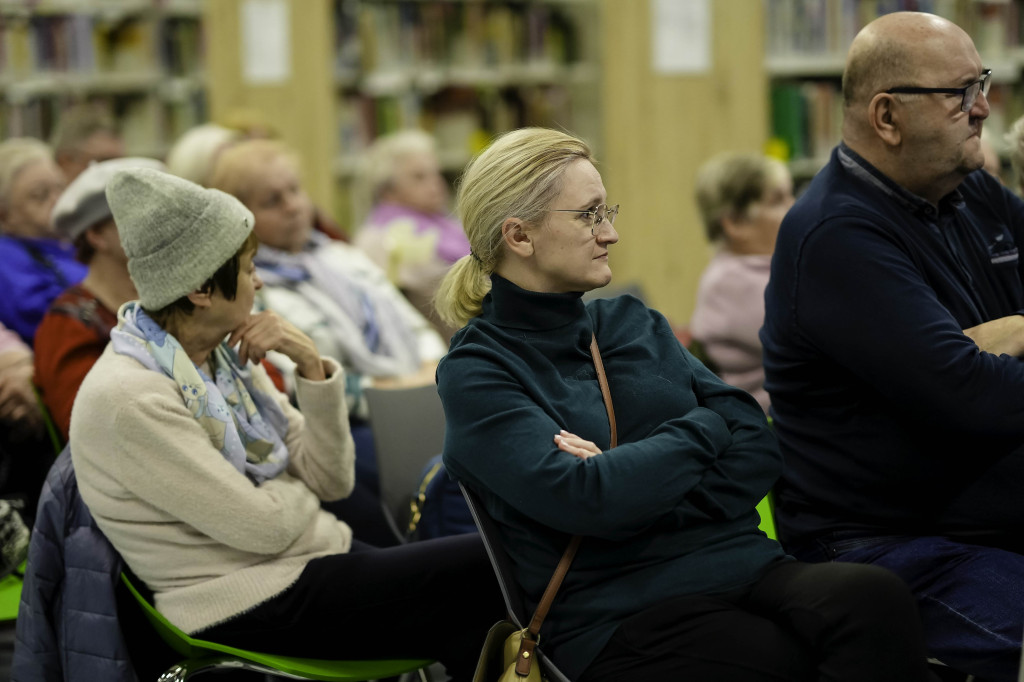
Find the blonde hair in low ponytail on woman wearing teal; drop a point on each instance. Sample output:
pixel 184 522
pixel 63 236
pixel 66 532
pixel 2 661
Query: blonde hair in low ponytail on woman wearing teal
pixel 519 176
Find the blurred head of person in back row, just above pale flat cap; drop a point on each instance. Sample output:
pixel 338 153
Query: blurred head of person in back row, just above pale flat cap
pixel 84 135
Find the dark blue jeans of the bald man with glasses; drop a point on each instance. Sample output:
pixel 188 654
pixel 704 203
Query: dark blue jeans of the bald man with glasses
pixel 970 596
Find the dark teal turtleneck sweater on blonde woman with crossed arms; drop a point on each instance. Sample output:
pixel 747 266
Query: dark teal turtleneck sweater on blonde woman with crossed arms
pixel 668 513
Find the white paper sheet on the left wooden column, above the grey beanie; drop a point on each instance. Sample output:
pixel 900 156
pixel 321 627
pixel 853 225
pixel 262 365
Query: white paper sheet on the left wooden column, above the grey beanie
pixel 267 48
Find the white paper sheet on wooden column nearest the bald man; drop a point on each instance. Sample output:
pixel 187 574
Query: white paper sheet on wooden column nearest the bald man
pixel 681 36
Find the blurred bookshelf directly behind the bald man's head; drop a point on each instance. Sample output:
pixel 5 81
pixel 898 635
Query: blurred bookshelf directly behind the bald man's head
pixel 806 44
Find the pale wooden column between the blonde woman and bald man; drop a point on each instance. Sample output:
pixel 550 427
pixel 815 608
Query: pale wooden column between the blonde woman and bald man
pixel 658 130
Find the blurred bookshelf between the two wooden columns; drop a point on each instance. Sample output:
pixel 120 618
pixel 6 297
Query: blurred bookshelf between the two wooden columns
pixel 463 70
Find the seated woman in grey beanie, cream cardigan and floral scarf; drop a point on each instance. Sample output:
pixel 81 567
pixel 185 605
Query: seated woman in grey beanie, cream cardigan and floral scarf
pixel 208 482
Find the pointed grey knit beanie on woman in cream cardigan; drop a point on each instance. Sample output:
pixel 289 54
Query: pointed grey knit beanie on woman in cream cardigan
pixel 176 234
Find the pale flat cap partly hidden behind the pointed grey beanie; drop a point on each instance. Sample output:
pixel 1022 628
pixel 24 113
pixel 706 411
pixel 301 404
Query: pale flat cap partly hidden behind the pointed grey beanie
pixel 83 203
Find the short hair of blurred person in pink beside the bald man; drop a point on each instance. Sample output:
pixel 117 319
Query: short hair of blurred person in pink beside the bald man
pixel 730 184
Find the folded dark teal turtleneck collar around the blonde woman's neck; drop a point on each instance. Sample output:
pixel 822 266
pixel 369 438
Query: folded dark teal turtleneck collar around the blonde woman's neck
pixel 511 307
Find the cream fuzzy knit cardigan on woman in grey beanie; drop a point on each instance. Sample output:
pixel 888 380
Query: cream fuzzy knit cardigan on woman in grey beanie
pixel 208 542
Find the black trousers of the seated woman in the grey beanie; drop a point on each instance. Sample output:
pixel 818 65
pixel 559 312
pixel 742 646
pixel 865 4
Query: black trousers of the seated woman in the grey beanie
pixel 432 600
